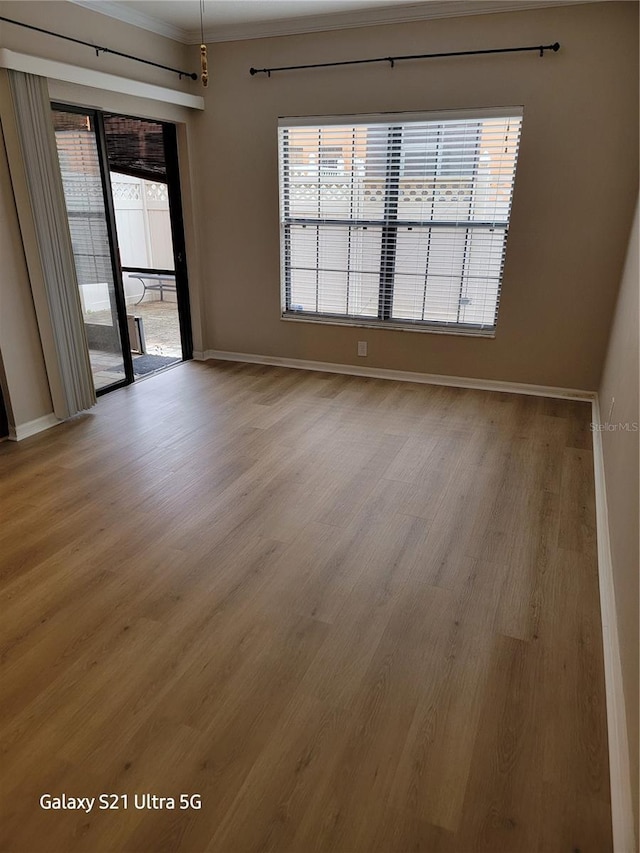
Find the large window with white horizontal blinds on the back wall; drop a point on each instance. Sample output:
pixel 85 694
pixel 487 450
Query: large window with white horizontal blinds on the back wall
pixel 397 220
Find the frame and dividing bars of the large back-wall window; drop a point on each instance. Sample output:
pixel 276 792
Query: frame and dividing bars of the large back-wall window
pixel 395 165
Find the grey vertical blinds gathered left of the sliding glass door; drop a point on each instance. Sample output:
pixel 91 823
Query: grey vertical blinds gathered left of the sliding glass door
pixel 35 130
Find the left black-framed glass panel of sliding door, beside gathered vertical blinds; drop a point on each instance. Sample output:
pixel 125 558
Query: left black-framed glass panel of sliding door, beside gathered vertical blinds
pixel 88 197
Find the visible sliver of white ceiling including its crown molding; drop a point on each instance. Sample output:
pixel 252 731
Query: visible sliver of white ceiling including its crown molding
pixel 226 20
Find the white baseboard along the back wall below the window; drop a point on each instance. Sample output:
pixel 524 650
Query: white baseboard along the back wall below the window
pixel 399 375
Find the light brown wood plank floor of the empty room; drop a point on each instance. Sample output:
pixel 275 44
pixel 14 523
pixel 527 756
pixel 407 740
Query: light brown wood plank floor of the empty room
pixel 353 615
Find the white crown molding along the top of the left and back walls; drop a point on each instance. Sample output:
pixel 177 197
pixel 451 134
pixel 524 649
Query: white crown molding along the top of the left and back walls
pixel 398 14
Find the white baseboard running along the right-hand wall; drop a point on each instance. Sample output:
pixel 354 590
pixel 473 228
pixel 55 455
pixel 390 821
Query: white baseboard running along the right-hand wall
pixel 619 768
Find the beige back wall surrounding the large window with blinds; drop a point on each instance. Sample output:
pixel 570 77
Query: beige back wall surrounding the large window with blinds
pixel 573 199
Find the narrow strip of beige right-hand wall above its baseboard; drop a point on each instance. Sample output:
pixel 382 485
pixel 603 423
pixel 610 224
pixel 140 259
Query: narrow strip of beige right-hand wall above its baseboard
pixel 620 381
